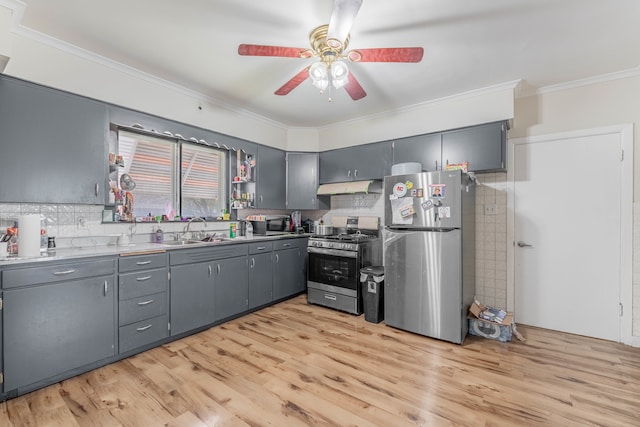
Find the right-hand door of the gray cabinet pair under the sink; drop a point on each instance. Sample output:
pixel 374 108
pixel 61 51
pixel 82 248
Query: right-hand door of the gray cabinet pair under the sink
pixel 232 287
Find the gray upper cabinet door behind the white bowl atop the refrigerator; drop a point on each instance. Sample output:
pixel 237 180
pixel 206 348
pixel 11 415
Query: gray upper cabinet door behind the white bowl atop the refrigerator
pixel 424 149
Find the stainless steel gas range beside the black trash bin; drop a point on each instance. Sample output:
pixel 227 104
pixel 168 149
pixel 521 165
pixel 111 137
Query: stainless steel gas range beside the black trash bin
pixel 335 262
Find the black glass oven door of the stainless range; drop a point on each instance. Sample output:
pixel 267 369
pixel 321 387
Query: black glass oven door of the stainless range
pixel 334 268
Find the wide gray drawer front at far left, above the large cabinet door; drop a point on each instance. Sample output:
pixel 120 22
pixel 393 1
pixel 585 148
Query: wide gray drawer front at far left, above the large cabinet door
pixel 57 272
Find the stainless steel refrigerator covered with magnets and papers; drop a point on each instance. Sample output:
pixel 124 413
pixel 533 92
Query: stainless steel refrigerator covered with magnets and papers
pixel 429 253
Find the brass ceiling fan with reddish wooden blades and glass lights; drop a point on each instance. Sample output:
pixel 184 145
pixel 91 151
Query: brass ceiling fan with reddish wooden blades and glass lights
pixel 329 43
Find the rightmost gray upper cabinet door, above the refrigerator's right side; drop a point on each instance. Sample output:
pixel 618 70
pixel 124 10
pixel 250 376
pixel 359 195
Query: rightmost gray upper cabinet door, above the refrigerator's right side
pixel 484 147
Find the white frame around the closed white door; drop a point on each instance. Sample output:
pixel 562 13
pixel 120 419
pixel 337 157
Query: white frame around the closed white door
pixel 626 218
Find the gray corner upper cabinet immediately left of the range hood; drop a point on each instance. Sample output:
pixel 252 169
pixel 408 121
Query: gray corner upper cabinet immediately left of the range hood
pixel 302 182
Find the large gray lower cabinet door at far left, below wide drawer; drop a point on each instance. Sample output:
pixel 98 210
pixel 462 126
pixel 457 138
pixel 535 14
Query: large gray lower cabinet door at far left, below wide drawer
pixel 51 329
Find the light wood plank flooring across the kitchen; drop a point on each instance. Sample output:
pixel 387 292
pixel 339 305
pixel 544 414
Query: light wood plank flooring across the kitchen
pixel 295 364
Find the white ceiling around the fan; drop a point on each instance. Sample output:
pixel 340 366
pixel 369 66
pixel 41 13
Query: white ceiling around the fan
pixel 469 45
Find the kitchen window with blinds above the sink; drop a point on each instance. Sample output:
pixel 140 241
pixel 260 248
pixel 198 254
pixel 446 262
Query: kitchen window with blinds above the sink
pixel 173 176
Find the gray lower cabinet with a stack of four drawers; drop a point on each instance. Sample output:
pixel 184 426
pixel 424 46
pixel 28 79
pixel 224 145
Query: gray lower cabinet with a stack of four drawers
pixel 143 308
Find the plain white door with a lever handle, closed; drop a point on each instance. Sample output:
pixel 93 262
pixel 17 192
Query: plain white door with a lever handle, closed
pixel 567 229
